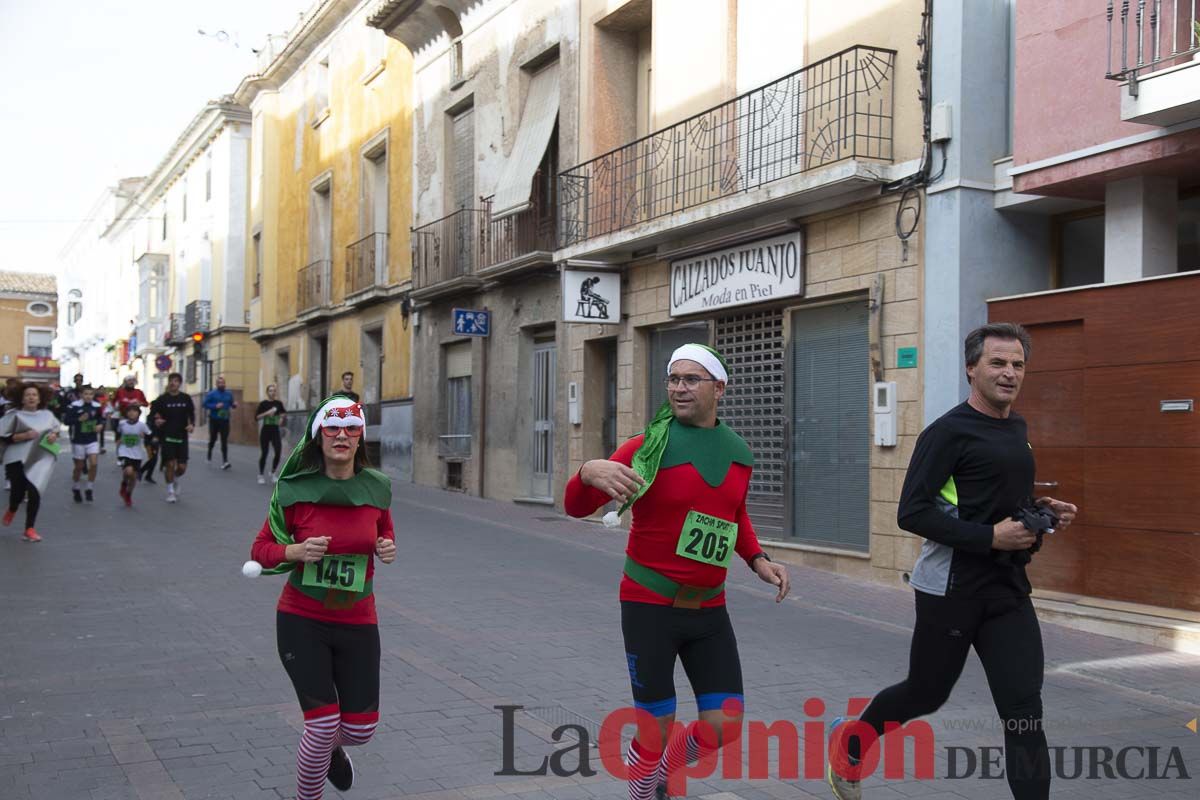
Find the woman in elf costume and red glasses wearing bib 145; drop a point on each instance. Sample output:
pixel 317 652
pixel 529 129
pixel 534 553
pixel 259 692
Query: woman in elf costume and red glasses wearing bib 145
pixel 329 516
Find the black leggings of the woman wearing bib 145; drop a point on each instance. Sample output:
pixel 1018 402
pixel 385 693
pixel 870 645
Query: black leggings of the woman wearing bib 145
pixel 331 663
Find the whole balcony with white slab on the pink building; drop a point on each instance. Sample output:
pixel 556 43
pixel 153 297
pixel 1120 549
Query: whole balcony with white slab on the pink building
pixel 1155 52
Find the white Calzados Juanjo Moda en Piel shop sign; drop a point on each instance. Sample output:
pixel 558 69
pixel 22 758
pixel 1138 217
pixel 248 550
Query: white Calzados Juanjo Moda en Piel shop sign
pixel 755 272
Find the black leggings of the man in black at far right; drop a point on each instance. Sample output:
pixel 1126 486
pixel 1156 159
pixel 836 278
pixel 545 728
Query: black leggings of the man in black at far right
pixel 1006 635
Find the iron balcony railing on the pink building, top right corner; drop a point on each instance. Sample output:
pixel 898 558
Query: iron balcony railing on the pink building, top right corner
pixel 1150 34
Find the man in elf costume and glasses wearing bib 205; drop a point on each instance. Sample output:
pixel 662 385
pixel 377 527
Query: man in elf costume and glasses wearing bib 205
pixel 687 478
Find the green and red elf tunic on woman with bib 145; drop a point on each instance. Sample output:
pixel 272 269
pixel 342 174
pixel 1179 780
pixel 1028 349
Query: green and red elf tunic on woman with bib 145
pixel 352 513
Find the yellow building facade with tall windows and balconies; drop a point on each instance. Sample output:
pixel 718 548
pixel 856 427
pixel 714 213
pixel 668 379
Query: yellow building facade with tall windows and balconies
pixel 327 233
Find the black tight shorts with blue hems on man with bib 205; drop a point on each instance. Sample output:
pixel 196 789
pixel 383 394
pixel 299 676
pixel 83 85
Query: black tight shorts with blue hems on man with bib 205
pixel 703 639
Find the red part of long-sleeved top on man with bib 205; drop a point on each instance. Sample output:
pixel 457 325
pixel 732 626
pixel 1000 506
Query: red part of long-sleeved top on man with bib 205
pixel 659 518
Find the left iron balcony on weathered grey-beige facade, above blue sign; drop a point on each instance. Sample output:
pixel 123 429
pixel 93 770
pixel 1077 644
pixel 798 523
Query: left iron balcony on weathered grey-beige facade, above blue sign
pixel 448 252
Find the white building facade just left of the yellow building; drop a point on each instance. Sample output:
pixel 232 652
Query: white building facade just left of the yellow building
pixel 182 240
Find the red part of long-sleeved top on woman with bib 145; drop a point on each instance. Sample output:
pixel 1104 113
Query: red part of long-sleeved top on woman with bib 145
pixel 352 530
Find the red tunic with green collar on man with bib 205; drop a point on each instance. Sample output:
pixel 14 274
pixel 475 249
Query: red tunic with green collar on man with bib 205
pixel 704 471
